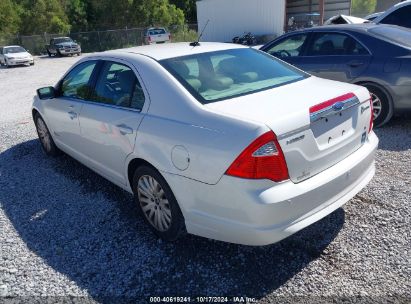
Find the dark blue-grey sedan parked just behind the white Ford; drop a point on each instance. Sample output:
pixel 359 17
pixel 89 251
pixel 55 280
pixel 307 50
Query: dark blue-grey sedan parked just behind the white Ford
pixel 375 56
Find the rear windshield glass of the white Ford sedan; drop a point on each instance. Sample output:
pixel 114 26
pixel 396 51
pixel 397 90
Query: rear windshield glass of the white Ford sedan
pixel 216 76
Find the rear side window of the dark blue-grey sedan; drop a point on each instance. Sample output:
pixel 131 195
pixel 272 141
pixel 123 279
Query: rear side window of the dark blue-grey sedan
pixel 331 44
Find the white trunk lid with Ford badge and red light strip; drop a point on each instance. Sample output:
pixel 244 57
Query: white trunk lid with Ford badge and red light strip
pixel 318 122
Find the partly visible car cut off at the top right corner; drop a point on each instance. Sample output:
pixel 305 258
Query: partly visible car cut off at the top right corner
pixel 399 14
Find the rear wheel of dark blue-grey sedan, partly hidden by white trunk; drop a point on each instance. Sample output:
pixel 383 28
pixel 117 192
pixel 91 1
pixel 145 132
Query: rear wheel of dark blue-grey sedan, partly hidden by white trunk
pixel 384 110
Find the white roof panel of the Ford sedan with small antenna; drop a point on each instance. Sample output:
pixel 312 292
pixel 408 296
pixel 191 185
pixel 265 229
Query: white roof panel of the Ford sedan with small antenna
pixel 170 50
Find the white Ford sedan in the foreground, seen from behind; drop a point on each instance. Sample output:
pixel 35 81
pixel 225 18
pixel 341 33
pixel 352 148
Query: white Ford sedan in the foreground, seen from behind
pixel 218 140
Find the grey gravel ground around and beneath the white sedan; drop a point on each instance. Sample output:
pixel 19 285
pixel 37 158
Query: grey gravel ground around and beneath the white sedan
pixel 65 231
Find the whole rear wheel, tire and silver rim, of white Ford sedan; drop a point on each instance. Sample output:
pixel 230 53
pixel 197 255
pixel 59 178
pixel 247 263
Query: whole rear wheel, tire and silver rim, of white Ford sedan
pixel 157 204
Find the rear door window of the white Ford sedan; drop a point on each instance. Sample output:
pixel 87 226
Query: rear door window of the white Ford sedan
pixel 118 85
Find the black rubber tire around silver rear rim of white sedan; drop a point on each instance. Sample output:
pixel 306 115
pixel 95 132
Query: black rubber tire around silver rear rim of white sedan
pixel 176 227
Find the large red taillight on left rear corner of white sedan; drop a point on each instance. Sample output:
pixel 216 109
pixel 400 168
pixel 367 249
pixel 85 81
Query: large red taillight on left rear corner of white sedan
pixel 262 159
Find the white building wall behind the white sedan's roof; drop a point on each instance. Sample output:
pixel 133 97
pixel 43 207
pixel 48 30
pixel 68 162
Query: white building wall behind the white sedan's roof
pixel 230 18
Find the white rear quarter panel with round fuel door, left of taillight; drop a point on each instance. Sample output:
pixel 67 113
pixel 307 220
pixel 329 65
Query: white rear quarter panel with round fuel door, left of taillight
pixel 174 118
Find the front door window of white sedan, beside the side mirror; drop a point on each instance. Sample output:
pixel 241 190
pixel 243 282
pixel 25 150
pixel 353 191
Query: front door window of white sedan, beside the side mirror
pixel 76 83
